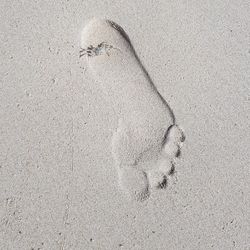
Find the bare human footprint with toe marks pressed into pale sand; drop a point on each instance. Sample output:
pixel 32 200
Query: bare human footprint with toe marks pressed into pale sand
pixel 147 141
